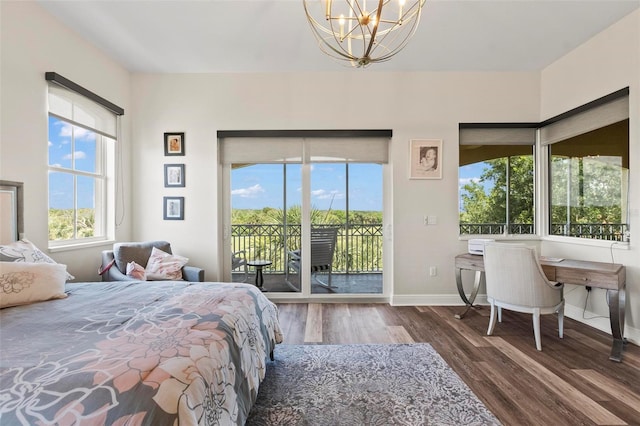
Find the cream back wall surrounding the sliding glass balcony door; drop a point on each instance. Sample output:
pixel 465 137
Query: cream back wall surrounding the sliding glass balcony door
pixel 413 105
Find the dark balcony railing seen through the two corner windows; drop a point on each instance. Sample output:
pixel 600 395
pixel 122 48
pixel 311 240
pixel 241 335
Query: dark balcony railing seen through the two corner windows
pixel 598 231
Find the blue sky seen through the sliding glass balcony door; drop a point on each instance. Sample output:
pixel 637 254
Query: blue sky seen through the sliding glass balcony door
pixel 260 185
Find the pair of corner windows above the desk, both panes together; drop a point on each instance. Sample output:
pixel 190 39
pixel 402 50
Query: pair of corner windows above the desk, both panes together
pixel 587 174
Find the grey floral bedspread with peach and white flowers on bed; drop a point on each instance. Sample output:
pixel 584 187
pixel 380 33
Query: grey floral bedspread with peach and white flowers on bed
pixel 130 353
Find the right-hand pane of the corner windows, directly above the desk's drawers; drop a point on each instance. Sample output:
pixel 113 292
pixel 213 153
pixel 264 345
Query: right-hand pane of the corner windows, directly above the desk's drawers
pixel 589 171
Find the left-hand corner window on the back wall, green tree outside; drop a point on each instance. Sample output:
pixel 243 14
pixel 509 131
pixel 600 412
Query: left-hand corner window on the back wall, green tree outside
pixel 496 179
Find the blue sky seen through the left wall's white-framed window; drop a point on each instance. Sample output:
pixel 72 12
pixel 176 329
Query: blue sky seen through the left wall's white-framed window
pixel 61 155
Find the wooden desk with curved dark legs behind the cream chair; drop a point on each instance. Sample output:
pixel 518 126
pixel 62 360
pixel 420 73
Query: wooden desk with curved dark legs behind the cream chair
pixel 609 276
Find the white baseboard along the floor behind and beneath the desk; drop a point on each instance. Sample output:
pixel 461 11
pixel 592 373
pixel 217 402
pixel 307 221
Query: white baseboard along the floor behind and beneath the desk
pixel 574 312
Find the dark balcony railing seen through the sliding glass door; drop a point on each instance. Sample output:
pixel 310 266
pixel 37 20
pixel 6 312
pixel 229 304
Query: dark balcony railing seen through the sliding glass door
pixel 358 246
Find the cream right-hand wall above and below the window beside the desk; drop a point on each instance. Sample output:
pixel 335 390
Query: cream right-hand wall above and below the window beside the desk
pixel 608 62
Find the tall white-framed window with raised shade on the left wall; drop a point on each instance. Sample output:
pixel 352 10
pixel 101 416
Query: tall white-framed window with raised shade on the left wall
pixel 81 147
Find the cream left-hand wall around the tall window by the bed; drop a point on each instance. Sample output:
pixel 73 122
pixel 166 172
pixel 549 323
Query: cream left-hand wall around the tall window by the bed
pixel 33 42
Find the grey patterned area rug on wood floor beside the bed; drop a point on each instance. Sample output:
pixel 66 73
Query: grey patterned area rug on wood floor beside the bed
pixel 377 385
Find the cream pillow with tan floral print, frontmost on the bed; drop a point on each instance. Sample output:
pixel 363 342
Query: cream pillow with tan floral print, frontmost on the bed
pixel 25 282
